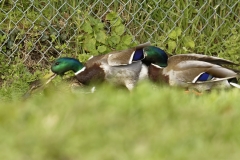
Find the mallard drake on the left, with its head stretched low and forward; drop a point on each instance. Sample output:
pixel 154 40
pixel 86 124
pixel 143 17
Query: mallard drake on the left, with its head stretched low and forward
pixel 119 67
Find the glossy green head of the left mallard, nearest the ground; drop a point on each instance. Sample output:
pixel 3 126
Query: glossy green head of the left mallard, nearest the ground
pixel 64 64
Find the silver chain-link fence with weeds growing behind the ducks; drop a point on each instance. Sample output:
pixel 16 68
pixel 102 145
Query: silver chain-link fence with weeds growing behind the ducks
pixel 36 31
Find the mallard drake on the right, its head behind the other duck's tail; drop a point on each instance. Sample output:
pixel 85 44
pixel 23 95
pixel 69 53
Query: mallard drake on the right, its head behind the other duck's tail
pixel 195 71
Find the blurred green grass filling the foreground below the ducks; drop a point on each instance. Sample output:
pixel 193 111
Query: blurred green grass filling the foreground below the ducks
pixel 148 123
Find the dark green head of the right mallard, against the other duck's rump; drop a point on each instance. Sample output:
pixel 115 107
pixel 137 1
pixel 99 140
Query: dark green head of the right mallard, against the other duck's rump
pixel 156 56
